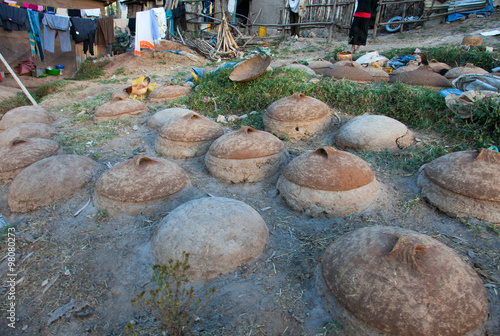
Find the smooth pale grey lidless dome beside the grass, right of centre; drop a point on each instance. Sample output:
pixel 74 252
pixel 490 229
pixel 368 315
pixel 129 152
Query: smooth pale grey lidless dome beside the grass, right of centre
pixel 373 133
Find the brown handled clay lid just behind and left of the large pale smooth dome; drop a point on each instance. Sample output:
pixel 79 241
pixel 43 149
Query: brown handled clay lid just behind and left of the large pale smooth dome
pixel 142 179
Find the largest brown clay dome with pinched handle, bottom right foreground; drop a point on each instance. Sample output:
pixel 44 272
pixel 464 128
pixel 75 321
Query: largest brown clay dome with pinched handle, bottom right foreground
pixel 401 282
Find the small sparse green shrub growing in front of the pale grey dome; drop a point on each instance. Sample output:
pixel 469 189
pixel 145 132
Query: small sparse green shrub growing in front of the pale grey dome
pixel 173 303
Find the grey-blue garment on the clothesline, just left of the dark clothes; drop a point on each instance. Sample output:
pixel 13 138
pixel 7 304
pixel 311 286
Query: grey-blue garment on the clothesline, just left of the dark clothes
pixel 55 23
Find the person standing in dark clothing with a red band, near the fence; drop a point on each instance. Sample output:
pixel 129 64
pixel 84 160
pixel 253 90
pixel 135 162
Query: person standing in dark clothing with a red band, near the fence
pixel 360 24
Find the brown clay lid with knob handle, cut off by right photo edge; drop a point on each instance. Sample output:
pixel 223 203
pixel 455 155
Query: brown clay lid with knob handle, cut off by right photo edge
pixel 474 174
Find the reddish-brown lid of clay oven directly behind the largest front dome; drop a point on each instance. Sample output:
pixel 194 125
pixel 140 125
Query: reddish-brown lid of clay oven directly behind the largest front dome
pixel 329 169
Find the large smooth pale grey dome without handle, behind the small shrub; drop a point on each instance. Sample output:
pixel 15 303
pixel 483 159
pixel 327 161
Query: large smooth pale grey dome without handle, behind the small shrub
pixel 220 234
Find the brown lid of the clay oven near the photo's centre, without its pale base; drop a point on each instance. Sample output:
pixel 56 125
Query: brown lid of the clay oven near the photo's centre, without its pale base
pixel 247 143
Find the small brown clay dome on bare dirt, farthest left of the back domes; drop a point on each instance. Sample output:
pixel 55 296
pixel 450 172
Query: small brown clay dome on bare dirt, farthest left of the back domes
pixel 119 109
